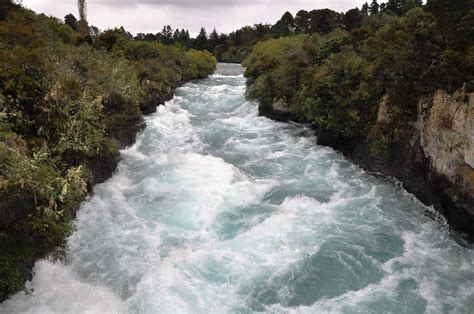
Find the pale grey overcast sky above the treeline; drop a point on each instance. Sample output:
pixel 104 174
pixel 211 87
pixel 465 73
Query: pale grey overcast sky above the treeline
pixel 149 16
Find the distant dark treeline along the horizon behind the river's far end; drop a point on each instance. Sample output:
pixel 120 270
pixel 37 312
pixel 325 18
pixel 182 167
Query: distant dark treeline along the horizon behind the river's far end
pixel 235 46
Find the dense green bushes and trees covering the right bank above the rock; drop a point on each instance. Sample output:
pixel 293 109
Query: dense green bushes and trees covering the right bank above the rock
pixel 336 78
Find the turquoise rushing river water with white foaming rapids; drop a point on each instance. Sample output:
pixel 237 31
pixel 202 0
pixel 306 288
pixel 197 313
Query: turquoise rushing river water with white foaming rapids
pixel 217 210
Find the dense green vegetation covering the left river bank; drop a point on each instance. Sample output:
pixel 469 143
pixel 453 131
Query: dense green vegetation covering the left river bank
pixel 70 97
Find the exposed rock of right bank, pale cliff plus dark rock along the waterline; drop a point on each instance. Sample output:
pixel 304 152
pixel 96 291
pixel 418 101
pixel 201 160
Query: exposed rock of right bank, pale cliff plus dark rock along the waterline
pixel 435 163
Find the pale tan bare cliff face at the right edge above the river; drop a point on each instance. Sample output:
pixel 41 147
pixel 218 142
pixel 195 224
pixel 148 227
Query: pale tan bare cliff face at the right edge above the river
pixel 446 127
